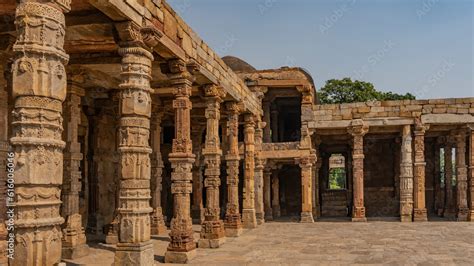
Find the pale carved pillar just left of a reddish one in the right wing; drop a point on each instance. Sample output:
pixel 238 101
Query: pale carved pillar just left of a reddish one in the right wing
pixel 406 176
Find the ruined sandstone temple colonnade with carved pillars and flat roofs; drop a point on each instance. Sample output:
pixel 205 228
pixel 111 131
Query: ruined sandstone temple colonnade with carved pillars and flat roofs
pixel 125 124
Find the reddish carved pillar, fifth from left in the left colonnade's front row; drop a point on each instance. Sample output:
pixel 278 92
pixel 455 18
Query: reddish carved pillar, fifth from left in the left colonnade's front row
pixel 232 223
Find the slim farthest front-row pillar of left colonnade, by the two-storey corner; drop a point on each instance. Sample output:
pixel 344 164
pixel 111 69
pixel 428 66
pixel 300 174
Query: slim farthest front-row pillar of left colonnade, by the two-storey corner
pixel 259 166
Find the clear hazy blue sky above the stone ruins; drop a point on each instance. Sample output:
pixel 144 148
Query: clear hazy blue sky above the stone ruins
pixel 424 47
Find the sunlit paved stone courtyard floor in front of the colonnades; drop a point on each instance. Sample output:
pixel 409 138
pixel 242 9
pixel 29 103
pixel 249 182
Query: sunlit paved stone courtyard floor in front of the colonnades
pixel 330 243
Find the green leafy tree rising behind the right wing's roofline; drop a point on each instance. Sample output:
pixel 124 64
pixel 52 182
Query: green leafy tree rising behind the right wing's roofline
pixel 348 91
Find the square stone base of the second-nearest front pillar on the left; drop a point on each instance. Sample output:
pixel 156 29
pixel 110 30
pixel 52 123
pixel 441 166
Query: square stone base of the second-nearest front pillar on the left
pixel 134 254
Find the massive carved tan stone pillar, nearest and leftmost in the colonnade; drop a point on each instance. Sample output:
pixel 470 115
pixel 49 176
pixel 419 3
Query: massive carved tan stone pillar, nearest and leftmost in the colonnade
pixel 39 89
